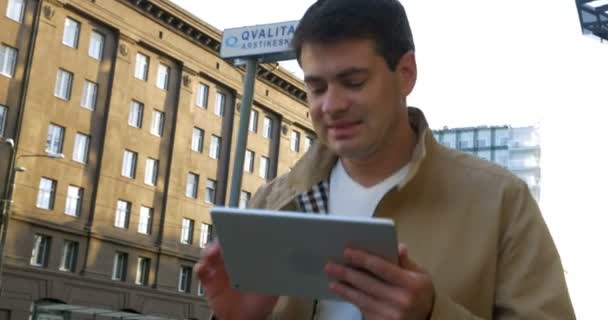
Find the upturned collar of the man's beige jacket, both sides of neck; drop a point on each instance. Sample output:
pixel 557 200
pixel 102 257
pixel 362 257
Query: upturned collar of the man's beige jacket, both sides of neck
pixel 316 165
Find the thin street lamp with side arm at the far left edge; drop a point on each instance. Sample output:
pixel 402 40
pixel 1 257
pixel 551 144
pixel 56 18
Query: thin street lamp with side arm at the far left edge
pixel 10 187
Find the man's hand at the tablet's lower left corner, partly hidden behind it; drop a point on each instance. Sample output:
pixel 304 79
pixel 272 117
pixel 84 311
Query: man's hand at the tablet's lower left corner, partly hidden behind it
pixel 226 302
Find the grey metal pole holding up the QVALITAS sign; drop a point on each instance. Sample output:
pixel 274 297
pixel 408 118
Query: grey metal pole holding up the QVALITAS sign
pixel 241 142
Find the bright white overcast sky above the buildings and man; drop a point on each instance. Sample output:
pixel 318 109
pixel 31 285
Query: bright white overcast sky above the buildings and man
pixel 518 63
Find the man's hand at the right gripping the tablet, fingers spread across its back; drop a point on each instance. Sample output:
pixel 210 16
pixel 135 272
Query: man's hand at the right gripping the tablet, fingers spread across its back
pixel 381 289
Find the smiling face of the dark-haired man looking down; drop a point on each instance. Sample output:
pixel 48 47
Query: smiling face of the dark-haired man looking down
pixel 356 101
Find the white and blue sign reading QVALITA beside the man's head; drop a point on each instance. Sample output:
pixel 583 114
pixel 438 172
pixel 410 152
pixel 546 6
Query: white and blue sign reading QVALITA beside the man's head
pixel 266 42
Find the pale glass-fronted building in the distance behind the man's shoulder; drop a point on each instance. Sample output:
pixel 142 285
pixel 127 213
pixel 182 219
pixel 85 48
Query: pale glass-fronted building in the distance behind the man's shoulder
pixel 517 149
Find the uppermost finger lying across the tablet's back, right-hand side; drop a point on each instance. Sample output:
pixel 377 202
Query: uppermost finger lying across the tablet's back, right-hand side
pixel 377 266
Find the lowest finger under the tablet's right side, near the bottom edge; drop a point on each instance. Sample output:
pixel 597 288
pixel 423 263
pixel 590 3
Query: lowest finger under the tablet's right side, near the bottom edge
pixel 369 306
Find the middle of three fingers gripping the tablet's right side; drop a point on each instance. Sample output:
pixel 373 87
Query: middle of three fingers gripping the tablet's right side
pixel 365 282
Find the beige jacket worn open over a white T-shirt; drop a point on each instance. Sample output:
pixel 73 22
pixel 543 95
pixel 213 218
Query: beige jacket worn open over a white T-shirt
pixel 473 225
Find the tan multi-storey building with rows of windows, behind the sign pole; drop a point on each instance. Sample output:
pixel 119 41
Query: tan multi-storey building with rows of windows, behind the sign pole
pixel 135 97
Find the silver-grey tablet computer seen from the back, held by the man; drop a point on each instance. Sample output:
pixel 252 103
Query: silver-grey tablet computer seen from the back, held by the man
pixel 284 253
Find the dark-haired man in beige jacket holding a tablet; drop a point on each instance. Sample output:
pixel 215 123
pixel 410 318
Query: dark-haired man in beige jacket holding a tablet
pixel 477 246
